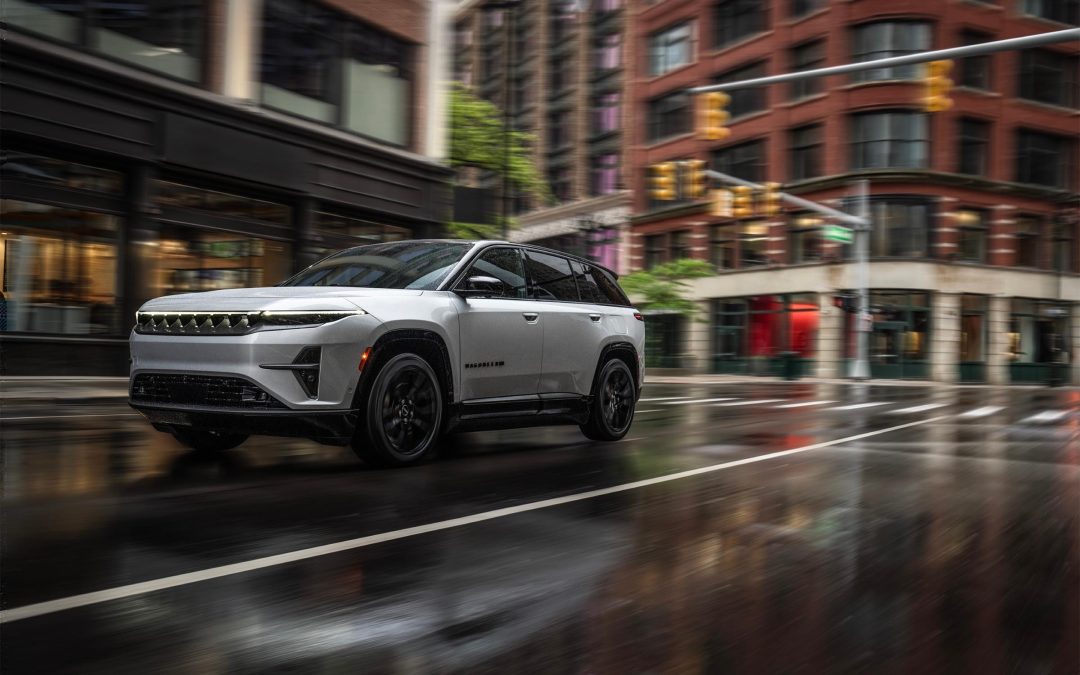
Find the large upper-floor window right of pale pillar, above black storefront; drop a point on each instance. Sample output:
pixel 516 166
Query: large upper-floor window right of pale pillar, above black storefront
pixel 320 65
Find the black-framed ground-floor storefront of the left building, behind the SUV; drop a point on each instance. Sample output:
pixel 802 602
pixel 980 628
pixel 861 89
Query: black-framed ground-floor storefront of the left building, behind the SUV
pixel 117 188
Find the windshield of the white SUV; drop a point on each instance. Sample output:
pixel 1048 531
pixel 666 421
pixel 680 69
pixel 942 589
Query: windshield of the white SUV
pixel 397 265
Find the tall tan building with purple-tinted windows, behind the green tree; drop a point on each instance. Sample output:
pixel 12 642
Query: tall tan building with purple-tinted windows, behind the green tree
pixel 568 85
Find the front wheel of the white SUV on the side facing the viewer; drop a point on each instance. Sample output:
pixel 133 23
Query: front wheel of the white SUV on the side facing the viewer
pixel 403 414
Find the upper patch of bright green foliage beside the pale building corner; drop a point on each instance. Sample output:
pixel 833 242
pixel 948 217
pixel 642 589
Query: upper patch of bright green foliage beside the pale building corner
pixel 478 138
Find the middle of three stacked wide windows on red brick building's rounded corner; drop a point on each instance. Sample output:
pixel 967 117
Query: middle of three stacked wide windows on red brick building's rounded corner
pixel 896 140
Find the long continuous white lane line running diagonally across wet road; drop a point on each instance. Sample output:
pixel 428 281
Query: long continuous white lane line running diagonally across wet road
pixel 94 598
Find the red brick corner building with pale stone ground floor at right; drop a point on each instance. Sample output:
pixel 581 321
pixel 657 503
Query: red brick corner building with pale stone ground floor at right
pixel 976 242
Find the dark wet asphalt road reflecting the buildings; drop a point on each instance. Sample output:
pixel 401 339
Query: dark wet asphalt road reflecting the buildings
pixel 943 538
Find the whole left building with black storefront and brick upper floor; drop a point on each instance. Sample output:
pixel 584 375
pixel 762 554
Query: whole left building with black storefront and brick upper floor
pixel 161 146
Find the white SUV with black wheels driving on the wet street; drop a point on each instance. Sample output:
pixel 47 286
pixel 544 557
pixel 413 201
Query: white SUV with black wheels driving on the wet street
pixel 387 347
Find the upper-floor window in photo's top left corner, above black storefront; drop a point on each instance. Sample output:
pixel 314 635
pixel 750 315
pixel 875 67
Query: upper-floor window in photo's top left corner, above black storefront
pixel 166 38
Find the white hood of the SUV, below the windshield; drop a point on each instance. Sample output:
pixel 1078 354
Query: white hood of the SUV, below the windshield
pixel 273 298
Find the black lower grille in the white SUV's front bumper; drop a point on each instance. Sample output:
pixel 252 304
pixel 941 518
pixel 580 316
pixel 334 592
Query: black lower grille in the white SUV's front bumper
pixel 211 391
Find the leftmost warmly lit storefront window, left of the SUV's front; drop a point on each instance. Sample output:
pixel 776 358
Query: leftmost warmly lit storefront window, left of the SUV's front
pixel 59 269
